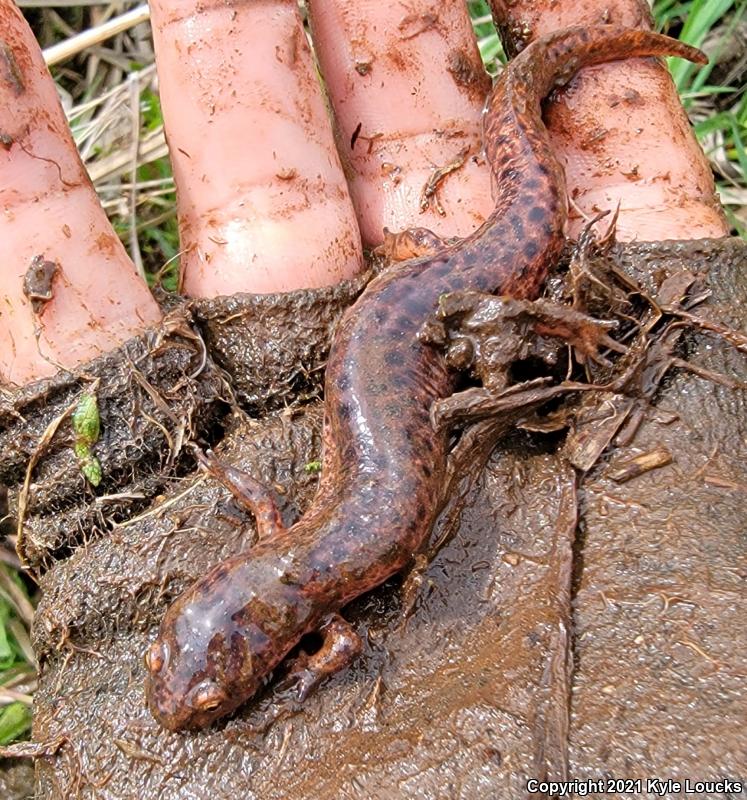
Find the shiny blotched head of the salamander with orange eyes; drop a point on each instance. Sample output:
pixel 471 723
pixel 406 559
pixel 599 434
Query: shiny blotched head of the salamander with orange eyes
pixel 212 652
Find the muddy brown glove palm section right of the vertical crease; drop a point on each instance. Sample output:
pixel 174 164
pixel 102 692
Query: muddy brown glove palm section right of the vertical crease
pixel 659 685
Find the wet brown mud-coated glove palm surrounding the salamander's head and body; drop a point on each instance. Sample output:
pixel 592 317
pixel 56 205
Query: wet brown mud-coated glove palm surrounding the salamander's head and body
pixel 579 622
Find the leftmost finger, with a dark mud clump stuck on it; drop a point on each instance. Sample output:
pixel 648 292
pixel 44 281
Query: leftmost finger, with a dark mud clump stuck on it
pixel 69 290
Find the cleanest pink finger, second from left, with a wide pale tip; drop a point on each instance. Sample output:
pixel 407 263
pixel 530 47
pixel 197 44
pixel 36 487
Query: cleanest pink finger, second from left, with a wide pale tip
pixel 262 199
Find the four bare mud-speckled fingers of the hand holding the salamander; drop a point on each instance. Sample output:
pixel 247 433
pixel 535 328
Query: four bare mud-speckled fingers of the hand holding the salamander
pixel 265 203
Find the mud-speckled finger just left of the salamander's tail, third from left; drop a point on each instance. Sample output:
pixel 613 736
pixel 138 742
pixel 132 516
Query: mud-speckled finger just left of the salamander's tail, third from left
pixel 407 87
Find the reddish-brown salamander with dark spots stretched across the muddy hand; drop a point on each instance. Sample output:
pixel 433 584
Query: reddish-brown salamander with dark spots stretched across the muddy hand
pixel 383 467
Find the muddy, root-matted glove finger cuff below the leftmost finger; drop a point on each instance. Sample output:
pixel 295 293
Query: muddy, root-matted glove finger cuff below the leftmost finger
pixel 153 394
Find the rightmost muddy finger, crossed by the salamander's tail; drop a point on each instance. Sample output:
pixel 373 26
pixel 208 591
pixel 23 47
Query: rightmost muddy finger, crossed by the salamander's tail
pixel 620 130
